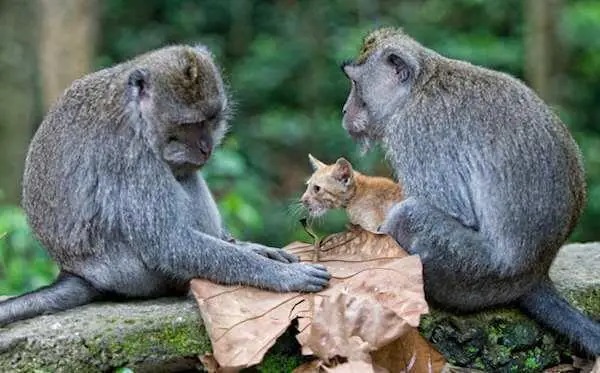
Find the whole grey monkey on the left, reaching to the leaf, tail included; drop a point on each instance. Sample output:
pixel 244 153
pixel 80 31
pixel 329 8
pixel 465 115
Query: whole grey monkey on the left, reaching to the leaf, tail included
pixel 111 190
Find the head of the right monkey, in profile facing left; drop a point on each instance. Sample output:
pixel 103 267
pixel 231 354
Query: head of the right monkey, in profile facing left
pixel 382 78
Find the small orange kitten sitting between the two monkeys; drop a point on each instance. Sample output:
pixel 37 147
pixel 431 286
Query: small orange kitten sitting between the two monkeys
pixel 366 199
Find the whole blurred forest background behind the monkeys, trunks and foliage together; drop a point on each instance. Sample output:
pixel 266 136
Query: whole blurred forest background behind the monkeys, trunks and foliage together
pixel 281 60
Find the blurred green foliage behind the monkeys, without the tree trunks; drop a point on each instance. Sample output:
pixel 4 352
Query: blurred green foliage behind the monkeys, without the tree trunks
pixel 281 61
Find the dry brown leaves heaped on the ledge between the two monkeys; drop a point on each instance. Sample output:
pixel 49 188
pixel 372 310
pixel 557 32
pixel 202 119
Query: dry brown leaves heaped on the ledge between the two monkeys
pixel 375 297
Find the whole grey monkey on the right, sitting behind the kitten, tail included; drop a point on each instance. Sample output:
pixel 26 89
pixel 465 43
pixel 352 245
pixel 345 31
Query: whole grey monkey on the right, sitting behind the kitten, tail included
pixel 493 179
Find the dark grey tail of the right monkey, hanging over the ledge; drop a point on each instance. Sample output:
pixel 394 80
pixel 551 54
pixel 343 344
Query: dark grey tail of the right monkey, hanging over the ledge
pixel 547 306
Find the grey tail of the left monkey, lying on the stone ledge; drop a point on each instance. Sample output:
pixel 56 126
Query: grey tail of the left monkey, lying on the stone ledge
pixel 66 292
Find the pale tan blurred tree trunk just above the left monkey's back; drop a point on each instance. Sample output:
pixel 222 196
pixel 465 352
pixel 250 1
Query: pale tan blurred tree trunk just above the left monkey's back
pixel 68 38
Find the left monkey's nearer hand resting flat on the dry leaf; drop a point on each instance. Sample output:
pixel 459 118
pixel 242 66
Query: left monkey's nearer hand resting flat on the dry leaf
pixel 301 277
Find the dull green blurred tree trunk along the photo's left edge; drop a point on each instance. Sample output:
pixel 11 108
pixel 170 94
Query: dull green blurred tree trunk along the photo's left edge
pixel 20 107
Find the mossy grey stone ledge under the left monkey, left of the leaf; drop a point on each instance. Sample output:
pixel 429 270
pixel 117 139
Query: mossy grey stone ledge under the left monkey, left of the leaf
pixel 159 335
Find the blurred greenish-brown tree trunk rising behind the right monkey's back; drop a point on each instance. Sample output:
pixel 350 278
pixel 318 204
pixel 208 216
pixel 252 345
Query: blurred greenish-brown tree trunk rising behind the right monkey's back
pixel 542 47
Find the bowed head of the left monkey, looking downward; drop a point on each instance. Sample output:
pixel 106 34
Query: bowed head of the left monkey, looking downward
pixel 180 104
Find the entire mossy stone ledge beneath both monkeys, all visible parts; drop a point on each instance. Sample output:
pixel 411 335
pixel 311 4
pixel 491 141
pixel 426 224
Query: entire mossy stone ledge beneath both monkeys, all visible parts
pixel 167 334
